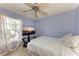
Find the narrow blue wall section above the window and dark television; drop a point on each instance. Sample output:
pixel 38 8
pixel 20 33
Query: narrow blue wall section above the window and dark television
pixel 26 21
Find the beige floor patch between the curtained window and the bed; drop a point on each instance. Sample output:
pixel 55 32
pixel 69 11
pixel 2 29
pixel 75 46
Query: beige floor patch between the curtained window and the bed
pixel 19 52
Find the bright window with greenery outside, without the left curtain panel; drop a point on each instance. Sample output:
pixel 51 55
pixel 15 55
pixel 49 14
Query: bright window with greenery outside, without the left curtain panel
pixel 12 29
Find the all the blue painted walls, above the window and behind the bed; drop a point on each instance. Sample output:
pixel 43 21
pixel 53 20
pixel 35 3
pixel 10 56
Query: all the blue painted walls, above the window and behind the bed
pixel 57 25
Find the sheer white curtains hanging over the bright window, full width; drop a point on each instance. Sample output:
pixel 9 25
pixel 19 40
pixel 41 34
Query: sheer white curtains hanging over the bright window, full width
pixel 10 31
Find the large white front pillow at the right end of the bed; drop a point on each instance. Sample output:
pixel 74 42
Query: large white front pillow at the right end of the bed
pixel 71 41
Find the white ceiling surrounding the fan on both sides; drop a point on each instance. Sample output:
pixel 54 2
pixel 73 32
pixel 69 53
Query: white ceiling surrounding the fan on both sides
pixel 49 8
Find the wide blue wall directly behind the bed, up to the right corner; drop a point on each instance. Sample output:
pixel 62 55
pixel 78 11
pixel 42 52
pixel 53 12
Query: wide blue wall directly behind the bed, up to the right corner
pixel 57 25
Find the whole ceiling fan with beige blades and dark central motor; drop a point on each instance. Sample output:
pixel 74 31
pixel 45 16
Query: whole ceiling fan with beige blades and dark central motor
pixel 36 8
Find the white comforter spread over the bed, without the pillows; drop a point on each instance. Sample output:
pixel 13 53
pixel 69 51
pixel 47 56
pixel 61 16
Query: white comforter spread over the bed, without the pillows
pixel 47 46
